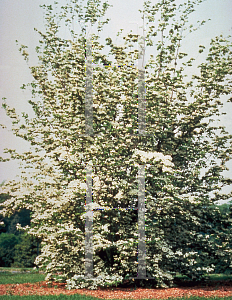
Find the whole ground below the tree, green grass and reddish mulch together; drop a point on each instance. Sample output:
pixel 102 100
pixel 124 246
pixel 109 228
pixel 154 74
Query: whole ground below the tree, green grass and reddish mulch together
pixel 31 285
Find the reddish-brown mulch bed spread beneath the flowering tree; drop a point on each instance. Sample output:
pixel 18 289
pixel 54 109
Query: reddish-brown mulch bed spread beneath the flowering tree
pixel 220 289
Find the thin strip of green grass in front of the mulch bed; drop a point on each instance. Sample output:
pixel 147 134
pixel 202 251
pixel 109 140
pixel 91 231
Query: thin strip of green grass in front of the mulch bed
pixel 81 297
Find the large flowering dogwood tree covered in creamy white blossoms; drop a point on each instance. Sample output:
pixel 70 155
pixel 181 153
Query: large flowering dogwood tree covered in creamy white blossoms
pixel 184 153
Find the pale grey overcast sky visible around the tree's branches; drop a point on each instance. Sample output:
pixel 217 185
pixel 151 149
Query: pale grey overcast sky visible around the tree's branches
pixel 17 22
